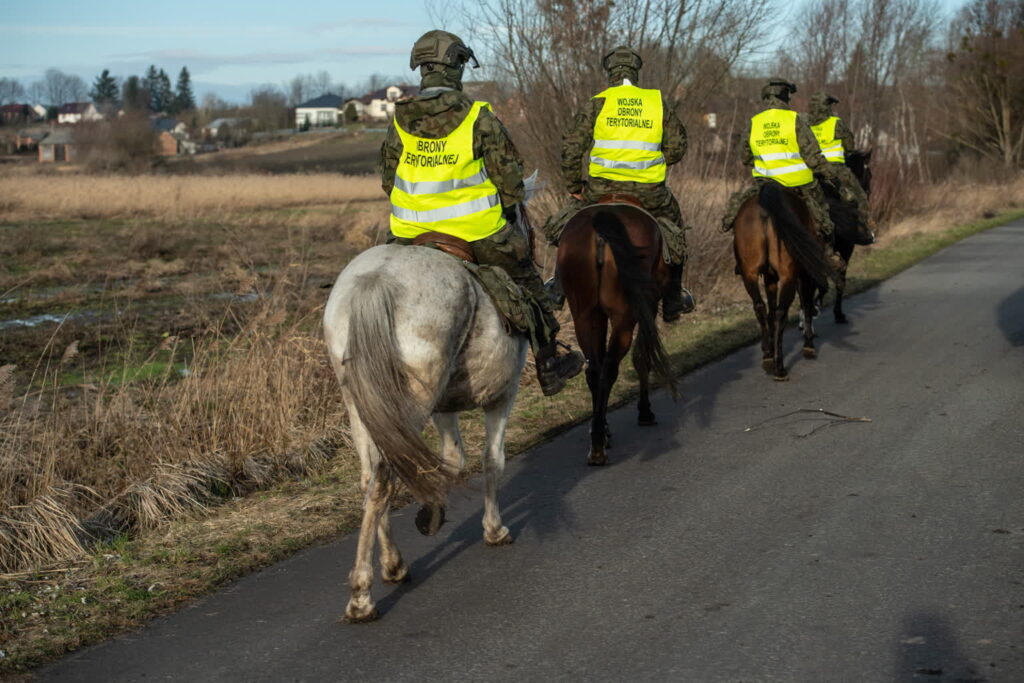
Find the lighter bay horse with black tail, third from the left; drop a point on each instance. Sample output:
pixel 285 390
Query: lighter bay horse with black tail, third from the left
pixel 775 242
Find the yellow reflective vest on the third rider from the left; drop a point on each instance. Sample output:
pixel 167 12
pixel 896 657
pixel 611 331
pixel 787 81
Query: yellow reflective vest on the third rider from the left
pixel 777 152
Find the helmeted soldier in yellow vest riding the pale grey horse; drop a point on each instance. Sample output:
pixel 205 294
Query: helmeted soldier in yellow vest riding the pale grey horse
pixel 449 166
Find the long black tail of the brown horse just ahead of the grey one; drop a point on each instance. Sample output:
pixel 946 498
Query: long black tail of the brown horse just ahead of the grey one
pixel 638 286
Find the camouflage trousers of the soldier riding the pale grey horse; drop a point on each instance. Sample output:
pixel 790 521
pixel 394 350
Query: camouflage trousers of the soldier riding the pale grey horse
pixel 508 249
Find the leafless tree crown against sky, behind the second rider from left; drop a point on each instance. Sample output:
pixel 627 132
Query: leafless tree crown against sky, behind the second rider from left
pixel 550 52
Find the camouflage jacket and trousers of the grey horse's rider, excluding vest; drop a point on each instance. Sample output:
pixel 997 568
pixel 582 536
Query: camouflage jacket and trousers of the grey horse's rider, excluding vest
pixel 436 113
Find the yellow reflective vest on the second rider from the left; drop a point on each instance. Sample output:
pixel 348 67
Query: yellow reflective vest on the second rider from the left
pixel 628 137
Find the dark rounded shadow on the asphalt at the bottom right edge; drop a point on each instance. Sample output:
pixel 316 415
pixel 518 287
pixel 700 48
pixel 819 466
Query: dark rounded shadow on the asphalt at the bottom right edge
pixel 929 651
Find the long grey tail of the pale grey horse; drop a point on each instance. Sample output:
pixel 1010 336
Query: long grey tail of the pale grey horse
pixel 378 383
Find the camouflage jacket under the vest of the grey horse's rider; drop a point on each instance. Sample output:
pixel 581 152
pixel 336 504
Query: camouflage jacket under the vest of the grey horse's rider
pixel 438 112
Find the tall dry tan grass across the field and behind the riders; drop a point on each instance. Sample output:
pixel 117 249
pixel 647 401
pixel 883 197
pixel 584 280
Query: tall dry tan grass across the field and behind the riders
pixel 258 406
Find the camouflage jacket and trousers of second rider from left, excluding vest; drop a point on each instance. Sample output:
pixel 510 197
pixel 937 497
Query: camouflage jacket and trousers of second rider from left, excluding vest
pixel 656 197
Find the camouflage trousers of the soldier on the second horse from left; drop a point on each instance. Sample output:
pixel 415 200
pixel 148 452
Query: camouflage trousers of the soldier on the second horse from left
pixel 657 199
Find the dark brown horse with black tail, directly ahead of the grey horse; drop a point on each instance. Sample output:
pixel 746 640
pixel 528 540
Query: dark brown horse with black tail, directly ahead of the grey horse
pixel 610 261
